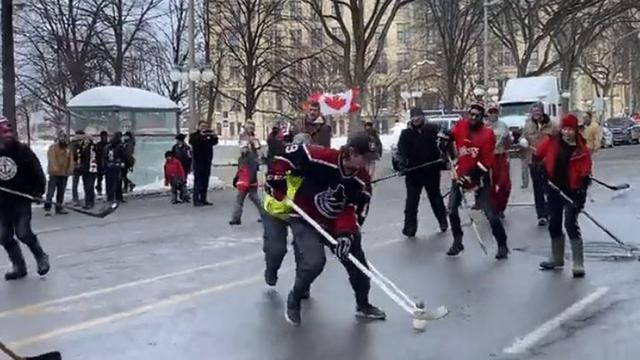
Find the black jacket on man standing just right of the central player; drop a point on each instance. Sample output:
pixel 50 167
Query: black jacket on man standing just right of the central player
pixel 419 146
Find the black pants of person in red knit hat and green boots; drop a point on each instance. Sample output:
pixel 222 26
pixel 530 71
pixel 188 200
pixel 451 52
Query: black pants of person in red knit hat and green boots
pixel 557 206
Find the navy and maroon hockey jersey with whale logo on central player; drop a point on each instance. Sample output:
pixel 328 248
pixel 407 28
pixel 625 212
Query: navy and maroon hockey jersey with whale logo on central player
pixel 332 198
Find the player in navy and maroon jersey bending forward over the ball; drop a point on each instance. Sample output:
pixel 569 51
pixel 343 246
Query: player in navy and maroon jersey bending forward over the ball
pixel 335 192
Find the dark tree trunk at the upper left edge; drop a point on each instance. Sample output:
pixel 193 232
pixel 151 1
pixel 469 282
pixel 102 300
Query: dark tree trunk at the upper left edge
pixel 8 69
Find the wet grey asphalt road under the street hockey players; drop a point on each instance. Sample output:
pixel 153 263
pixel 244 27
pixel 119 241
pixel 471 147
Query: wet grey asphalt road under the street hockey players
pixel 160 281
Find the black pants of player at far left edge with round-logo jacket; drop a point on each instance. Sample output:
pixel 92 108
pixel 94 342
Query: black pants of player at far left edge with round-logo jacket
pixel 15 219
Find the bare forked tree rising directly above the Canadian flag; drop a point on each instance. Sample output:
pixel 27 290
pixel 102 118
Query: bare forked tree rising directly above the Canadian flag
pixel 360 37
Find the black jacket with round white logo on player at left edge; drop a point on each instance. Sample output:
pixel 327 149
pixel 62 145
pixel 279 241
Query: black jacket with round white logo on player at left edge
pixel 20 170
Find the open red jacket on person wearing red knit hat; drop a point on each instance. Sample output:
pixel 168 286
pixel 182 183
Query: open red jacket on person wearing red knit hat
pixel 579 164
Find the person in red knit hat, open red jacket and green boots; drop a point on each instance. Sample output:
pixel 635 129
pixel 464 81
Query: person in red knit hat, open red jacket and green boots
pixel 567 164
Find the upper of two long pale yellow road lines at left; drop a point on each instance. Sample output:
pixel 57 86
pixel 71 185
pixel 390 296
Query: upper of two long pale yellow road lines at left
pixel 34 307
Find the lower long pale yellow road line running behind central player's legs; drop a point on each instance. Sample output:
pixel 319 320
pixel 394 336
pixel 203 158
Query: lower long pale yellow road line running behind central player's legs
pixel 172 300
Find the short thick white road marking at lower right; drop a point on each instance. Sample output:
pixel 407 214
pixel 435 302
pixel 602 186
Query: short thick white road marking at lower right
pixel 523 344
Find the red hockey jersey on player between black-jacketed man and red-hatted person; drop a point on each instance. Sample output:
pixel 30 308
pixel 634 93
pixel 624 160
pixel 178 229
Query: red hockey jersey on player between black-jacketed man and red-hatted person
pixel 473 148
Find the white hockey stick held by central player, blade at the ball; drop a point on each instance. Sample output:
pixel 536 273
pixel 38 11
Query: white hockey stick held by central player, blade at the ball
pixel 416 309
